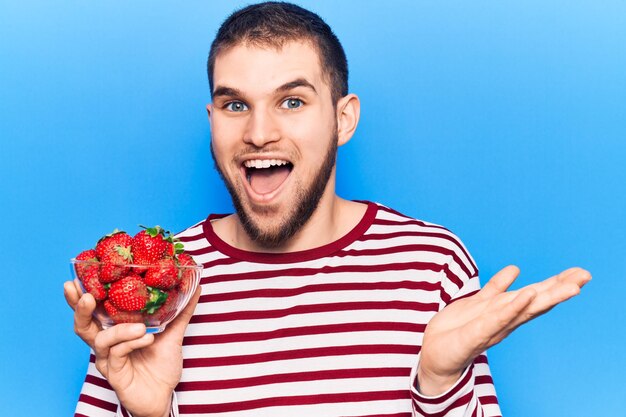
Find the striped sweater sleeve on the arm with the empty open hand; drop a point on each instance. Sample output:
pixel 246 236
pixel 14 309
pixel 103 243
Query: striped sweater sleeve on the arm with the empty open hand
pixel 474 393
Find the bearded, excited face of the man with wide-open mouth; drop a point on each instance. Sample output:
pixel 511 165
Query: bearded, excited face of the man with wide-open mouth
pixel 274 136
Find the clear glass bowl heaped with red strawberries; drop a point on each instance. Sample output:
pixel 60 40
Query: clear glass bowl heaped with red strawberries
pixel 146 278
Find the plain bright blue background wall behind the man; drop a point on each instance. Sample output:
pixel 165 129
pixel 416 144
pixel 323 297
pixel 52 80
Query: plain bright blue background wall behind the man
pixel 504 121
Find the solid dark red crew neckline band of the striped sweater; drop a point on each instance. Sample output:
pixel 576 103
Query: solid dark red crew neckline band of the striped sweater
pixel 290 257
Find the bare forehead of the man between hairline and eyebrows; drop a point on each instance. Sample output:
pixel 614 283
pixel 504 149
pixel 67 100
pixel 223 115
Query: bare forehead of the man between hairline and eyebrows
pixel 261 69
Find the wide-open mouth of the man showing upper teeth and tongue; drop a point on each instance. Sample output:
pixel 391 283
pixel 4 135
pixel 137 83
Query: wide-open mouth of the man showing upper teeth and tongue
pixel 266 175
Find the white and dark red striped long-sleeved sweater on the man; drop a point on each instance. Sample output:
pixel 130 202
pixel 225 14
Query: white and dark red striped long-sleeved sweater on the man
pixel 331 331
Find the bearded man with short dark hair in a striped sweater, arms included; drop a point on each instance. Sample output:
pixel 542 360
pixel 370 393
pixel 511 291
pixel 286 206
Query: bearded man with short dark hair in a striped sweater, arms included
pixel 311 305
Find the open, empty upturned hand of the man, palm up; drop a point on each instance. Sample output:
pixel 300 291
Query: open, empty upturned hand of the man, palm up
pixel 467 327
